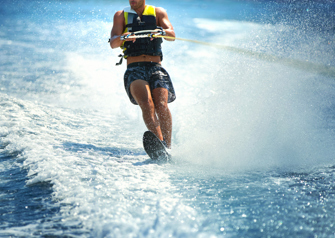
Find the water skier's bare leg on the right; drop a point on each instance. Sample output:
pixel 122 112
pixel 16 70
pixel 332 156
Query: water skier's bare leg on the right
pixel 160 97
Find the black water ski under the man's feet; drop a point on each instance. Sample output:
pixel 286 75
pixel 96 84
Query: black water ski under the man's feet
pixel 154 147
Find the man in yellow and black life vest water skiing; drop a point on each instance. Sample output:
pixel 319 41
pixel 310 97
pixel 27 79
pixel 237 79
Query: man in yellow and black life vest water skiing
pixel 146 82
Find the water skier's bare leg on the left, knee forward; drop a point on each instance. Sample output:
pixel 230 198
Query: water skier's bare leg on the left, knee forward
pixel 140 90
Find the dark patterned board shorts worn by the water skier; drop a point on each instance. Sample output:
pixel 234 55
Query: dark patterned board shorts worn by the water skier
pixel 153 73
